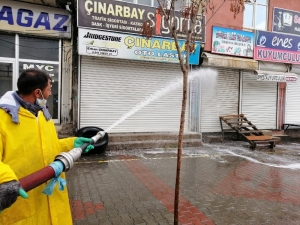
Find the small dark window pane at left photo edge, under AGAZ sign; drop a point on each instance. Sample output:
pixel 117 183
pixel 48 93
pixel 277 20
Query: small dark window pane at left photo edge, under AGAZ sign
pixel 7 45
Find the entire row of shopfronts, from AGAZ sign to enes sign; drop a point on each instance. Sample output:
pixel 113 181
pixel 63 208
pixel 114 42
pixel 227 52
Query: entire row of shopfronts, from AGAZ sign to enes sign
pixel 124 82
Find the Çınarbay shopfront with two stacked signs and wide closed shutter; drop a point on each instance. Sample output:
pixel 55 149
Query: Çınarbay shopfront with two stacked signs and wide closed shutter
pixel 129 83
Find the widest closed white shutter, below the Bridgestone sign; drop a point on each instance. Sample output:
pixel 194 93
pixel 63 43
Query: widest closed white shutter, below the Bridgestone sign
pixel 110 88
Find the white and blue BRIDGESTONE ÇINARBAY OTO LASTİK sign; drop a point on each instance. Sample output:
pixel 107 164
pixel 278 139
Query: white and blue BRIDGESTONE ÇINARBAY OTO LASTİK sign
pixel 127 46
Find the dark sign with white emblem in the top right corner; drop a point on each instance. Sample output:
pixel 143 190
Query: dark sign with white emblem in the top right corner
pixel 286 21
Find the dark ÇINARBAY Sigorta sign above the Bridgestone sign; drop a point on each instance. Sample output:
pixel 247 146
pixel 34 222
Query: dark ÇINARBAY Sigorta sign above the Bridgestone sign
pixel 126 17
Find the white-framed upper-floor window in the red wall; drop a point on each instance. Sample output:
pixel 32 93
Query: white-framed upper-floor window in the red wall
pixel 255 14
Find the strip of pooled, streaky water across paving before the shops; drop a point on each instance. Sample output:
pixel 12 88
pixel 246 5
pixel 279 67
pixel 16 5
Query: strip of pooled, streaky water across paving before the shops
pixel 283 156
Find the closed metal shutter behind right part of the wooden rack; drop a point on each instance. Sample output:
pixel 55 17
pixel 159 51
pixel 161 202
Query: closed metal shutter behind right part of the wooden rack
pixel 259 101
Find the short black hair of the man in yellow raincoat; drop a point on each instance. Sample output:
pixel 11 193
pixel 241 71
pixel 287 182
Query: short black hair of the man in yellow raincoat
pixel 32 79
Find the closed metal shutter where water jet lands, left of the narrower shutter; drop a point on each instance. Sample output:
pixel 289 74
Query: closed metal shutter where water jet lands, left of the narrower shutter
pixel 219 97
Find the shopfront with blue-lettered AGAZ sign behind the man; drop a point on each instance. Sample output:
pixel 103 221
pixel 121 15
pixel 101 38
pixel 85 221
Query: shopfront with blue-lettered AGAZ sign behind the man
pixel 37 36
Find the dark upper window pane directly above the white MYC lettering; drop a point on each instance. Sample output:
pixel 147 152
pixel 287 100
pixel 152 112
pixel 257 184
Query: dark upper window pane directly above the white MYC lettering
pixel 39 49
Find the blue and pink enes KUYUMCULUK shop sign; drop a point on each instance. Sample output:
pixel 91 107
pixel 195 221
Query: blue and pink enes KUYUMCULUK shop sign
pixel 277 47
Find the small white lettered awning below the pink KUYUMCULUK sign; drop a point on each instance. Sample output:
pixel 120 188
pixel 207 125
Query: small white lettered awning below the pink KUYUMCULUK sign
pixel 263 75
